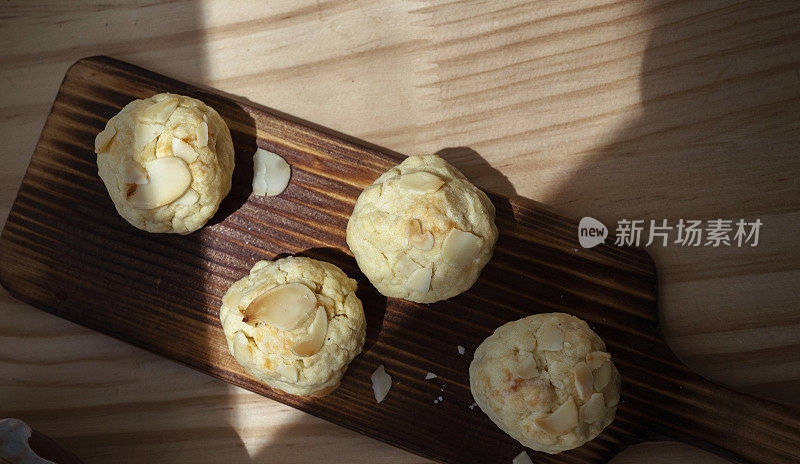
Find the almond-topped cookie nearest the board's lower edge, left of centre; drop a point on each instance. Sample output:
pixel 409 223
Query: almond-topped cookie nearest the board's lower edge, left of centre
pixel 295 324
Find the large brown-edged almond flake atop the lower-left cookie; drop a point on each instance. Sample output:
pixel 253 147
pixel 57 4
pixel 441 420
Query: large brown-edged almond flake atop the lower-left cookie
pixel 284 307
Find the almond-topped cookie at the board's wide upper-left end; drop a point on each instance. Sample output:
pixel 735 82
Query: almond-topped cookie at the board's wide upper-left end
pixel 167 162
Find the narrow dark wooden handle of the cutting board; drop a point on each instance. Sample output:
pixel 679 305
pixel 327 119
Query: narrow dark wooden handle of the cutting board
pixel 738 426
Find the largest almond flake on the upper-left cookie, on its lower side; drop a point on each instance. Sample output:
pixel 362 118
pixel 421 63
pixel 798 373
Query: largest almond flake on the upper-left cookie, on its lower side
pixel 168 180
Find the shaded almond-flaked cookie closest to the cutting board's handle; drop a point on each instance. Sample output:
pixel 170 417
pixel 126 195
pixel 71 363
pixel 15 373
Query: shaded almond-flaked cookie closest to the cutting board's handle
pixel 547 381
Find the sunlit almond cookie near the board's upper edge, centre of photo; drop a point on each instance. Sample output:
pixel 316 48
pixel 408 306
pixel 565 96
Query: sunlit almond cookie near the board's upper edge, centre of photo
pixel 422 231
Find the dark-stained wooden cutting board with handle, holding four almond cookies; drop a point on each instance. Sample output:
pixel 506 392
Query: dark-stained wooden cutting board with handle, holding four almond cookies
pixel 65 250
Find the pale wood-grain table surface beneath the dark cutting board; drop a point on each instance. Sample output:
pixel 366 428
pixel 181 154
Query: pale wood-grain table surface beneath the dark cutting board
pixel 612 109
